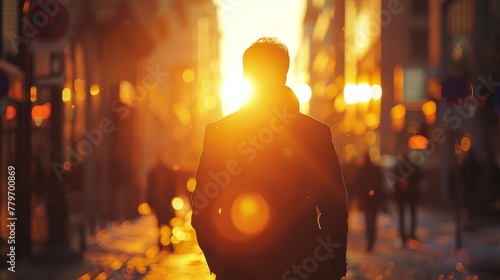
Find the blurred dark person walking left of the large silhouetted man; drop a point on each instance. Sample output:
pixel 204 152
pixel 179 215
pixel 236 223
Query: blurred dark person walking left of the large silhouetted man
pixel 161 191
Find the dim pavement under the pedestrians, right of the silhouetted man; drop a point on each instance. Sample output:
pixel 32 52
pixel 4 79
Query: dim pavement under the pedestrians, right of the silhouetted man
pixel 432 257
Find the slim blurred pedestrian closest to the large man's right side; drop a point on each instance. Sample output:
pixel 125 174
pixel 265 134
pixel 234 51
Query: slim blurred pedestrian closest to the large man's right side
pixel 371 197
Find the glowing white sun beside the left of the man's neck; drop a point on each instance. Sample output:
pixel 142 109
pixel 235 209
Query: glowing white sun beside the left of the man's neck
pixel 234 92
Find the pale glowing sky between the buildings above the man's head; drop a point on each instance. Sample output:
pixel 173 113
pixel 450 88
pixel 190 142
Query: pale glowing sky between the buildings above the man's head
pixel 244 21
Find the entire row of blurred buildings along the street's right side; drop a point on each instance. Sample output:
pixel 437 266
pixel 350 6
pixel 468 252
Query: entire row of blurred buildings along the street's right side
pixel 392 73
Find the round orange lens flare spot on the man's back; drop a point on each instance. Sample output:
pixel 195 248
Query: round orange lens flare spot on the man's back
pixel 250 213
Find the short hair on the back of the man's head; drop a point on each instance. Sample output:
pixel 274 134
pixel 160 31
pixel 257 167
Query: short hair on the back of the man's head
pixel 266 58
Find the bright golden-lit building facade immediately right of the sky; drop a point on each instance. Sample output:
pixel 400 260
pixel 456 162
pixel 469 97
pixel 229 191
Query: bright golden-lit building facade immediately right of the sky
pixel 342 44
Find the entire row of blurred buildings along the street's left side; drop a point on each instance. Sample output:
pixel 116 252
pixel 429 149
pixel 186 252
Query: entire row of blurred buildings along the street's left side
pixel 113 84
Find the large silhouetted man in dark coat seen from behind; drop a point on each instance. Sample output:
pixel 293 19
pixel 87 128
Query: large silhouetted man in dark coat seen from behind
pixel 264 174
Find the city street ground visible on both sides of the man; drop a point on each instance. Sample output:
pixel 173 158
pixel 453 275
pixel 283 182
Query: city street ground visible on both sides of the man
pixel 128 251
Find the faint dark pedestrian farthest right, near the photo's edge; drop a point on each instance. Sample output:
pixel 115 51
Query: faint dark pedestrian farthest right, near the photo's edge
pixel 470 173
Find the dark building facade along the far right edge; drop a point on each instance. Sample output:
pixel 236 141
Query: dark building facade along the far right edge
pixel 469 67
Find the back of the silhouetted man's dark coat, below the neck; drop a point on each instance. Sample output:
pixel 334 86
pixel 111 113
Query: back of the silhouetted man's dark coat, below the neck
pixel 282 166
